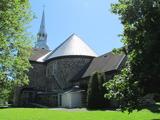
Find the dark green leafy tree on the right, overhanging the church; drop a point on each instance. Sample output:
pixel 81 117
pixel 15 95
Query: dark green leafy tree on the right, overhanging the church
pixel 141 38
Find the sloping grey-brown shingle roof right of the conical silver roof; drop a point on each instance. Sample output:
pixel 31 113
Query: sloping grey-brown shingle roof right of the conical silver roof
pixel 105 63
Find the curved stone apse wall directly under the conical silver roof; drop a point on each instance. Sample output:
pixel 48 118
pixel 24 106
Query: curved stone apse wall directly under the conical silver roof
pixel 67 69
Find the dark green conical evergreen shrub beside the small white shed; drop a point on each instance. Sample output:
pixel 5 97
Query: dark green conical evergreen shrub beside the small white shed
pixel 96 91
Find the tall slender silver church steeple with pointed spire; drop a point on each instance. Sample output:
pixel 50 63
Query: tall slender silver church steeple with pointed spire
pixel 42 35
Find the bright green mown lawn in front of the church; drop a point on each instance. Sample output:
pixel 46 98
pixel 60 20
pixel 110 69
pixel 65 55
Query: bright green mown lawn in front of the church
pixel 46 114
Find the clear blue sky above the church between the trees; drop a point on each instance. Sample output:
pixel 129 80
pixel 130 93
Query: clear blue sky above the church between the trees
pixel 91 20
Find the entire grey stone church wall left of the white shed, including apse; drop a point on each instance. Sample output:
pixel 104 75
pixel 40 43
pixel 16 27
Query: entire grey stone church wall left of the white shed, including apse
pixel 50 78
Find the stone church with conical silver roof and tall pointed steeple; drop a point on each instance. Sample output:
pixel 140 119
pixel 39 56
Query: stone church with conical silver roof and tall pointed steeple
pixel 59 77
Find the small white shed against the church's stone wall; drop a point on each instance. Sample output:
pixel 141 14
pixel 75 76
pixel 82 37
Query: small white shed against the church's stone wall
pixel 71 99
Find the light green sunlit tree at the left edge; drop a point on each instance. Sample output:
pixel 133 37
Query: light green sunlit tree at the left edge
pixel 14 44
